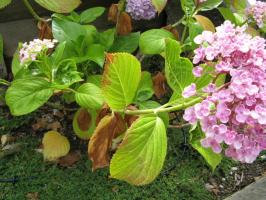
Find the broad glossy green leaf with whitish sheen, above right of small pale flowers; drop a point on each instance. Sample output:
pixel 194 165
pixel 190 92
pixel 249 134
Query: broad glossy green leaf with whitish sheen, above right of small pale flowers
pixel 66 30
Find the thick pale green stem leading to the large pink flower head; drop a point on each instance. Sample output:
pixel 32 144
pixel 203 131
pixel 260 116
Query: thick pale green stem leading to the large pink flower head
pixel 162 109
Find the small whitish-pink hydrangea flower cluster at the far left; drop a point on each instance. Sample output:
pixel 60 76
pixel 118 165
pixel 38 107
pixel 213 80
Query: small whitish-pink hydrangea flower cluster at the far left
pixel 31 50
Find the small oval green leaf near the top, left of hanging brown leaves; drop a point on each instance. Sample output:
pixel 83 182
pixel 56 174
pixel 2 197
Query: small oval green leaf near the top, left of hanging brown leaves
pixel 91 14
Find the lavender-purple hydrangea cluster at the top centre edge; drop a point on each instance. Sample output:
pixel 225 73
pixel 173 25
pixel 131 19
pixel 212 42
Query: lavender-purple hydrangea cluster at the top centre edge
pixel 141 9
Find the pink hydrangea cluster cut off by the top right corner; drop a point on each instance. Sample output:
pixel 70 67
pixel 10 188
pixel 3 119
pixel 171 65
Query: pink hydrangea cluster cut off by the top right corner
pixel 257 11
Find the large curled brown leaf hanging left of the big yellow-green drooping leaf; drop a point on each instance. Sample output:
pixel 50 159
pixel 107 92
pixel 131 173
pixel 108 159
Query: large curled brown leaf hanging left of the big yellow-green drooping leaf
pixel 101 140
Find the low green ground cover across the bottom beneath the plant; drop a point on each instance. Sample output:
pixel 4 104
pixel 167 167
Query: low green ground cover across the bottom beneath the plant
pixel 183 176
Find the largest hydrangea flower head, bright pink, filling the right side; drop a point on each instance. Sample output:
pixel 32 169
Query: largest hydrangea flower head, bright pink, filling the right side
pixel 233 115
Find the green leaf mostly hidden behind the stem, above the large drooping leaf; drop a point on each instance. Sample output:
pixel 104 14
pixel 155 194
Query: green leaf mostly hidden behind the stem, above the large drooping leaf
pixel 154 104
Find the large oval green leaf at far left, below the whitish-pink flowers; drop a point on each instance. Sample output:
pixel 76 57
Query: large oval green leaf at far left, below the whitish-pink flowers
pixel 26 95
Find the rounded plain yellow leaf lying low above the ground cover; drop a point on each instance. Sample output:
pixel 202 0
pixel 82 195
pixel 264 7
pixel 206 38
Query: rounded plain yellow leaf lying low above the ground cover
pixel 55 145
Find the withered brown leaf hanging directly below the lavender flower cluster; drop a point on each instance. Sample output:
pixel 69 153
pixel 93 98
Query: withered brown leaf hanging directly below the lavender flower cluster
pixel 124 24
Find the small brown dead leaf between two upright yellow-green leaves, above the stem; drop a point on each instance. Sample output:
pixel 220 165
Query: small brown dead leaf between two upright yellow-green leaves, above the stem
pixel 159 85
